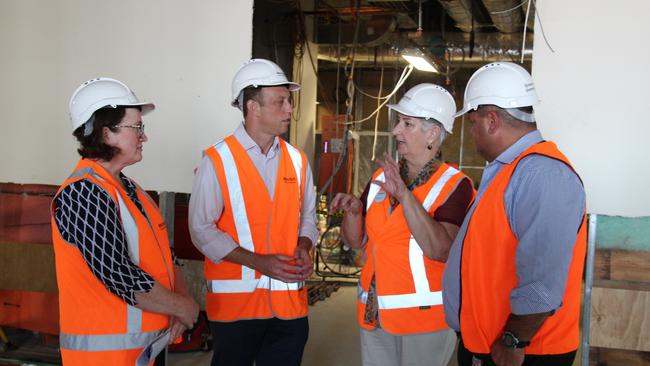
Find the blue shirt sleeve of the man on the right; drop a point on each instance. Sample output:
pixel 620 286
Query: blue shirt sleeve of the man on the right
pixel 545 204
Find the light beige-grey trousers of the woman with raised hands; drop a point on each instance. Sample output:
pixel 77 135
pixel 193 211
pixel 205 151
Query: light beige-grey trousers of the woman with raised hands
pixel 380 348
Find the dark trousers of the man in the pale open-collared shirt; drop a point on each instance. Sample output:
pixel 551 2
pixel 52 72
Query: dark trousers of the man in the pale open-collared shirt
pixel 267 342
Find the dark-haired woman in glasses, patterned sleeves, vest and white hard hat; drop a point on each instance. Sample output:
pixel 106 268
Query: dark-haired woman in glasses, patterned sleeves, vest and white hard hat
pixel 119 290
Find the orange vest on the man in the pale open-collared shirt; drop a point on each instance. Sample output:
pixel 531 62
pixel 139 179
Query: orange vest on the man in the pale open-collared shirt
pixel 258 225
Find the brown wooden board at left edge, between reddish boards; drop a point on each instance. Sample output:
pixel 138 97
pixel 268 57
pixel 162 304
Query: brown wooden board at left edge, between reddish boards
pixel 27 267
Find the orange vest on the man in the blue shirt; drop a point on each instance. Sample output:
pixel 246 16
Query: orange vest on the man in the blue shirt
pixel 488 273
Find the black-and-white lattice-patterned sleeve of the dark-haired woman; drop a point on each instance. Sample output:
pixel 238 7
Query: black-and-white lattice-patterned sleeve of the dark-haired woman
pixel 88 218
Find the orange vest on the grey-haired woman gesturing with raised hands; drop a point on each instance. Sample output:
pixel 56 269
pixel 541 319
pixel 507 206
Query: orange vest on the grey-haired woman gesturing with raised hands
pixel 408 283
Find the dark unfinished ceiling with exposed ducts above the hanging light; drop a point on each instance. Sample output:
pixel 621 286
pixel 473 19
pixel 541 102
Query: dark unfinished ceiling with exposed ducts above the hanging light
pixel 460 33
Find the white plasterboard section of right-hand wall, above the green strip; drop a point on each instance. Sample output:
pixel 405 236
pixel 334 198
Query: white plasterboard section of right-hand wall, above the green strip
pixel 594 90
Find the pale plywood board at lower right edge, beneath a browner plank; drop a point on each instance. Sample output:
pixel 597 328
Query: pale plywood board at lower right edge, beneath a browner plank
pixel 620 319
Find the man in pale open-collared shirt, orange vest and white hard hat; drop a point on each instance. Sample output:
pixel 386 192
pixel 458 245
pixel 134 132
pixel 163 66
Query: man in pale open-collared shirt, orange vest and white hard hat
pixel 252 214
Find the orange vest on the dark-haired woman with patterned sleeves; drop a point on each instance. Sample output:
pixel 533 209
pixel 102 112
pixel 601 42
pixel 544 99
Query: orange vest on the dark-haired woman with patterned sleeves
pixel 97 327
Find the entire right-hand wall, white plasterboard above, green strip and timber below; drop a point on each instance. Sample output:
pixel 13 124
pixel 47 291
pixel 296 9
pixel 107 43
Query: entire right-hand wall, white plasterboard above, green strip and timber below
pixel 593 90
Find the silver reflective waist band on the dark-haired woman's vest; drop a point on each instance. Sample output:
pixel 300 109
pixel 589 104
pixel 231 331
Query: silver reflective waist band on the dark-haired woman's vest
pixel 107 342
